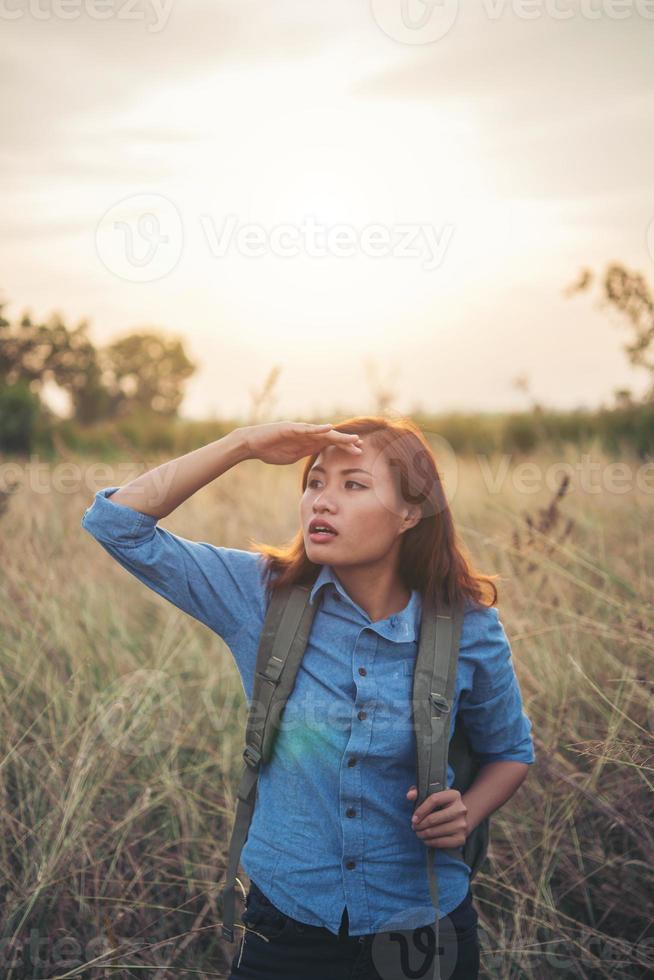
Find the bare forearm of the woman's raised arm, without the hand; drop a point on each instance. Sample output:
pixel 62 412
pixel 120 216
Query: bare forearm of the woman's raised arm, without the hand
pixel 162 489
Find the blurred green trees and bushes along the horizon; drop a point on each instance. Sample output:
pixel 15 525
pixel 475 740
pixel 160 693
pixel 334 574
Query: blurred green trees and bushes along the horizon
pixel 137 383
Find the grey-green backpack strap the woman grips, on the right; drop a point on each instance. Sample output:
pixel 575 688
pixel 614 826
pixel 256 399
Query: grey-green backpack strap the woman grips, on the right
pixel 434 681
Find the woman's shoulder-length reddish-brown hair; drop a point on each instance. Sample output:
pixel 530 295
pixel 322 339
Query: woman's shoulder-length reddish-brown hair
pixel 432 559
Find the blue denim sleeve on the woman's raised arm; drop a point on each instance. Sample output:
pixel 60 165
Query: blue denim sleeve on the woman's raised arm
pixel 221 587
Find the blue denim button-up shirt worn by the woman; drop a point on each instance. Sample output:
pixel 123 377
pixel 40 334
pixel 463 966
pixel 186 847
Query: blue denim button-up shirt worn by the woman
pixel 332 823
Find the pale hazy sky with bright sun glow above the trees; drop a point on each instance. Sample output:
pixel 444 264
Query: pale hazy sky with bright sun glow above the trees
pixel 395 190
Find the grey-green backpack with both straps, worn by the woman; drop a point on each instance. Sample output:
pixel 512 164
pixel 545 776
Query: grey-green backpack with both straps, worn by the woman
pixel 284 636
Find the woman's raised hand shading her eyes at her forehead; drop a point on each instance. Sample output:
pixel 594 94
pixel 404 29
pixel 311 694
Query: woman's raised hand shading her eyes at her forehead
pixel 286 442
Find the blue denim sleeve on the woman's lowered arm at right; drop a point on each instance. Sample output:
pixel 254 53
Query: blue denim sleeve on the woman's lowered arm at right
pixel 492 710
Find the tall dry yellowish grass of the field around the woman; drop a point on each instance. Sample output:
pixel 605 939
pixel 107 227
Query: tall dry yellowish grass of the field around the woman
pixel 123 718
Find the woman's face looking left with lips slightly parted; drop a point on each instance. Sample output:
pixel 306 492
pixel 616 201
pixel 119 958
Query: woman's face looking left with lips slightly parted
pixel 362 505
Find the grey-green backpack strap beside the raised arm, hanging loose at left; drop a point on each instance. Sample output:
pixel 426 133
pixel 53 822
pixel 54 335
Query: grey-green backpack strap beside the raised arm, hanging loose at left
pixel 282 643
